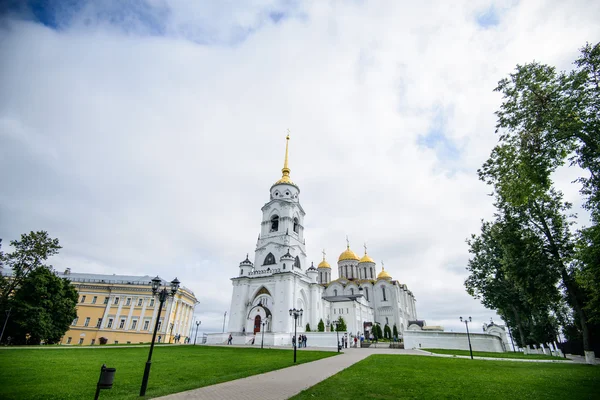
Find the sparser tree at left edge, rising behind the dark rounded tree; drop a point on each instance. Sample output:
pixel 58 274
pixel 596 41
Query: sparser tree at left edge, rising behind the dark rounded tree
pixel 29 253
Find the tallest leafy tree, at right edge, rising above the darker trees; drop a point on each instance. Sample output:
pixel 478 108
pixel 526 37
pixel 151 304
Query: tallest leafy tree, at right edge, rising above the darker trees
pixel 546 119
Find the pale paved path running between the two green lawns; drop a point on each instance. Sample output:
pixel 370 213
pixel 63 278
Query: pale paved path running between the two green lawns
pixel 284 383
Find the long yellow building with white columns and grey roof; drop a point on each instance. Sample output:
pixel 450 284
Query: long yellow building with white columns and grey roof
pixel 122 309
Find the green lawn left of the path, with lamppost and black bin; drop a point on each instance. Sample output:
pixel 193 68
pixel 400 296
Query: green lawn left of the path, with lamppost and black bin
pixel 72 373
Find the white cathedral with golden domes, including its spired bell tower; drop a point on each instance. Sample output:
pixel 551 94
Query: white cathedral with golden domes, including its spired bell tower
pixel 279 279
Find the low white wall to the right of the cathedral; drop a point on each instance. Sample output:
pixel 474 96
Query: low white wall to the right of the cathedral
pixel 452 340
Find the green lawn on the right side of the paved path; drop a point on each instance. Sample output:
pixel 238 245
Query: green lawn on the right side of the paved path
pixel 418 377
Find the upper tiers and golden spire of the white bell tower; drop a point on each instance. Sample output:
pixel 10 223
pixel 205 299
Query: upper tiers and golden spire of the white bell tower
pixel 281 243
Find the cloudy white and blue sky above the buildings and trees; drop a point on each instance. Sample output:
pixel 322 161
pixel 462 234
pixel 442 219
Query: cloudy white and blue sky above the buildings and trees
pixel 145 137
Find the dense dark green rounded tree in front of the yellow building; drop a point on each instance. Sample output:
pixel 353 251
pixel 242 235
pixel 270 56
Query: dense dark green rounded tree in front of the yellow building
pixel 43 308
